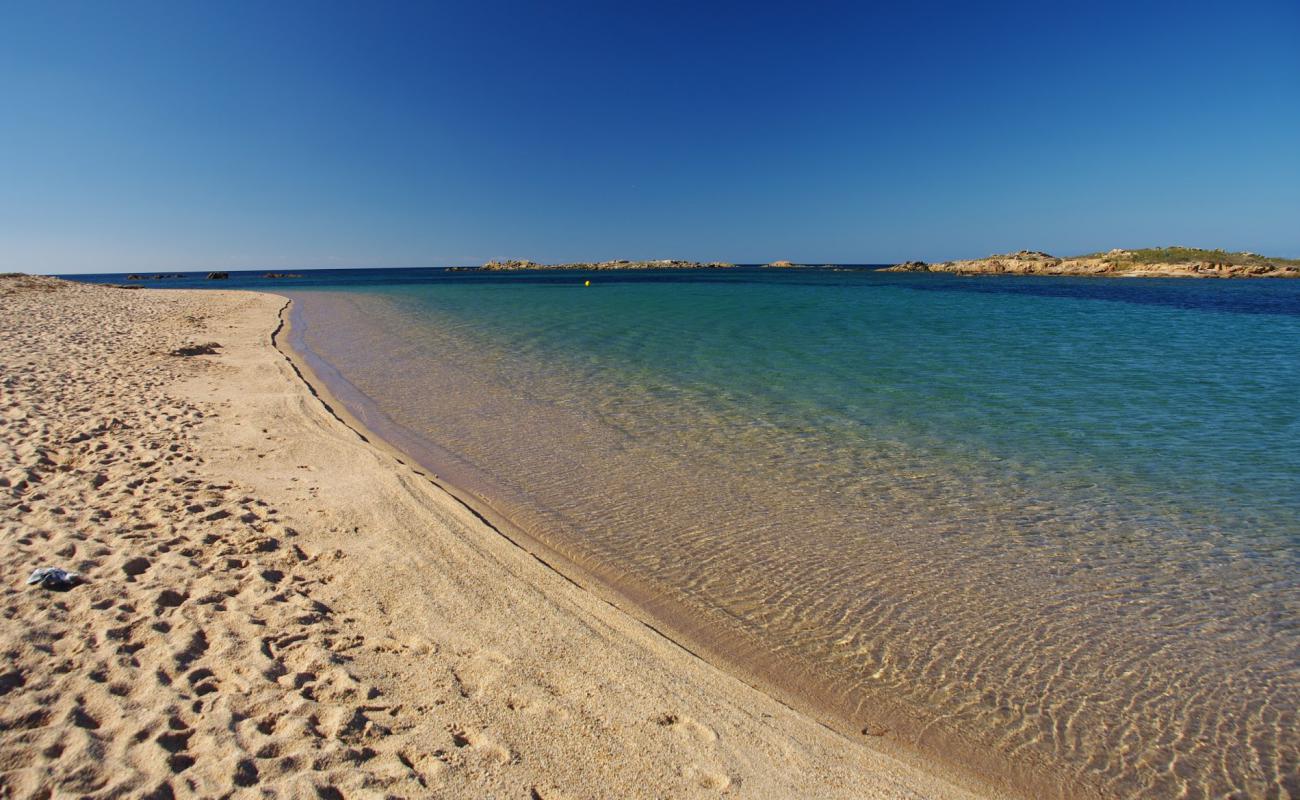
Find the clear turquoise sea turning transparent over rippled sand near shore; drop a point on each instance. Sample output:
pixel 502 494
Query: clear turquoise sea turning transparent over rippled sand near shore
pixel 1046 526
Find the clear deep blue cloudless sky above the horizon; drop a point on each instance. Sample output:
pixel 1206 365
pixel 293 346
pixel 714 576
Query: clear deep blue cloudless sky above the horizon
pixel 192 136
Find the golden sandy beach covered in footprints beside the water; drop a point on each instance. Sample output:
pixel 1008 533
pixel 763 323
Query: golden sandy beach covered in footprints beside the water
pixel 276 608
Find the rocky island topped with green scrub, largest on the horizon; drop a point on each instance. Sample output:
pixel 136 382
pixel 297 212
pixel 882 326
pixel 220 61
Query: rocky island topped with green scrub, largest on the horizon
pixel 1152 262
